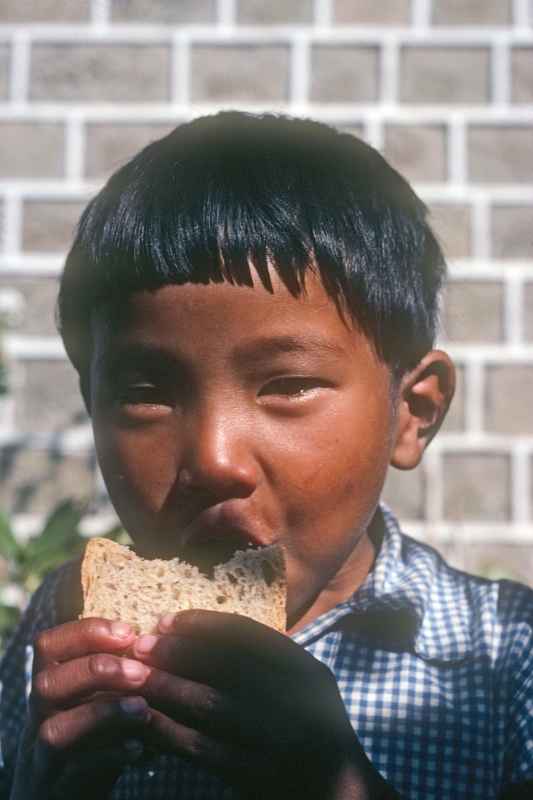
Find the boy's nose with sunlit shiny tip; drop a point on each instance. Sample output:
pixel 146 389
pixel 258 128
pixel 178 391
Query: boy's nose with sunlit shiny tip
pixel 217 459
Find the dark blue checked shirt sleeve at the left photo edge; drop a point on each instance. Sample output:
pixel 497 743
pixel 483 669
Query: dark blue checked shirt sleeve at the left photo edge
pixel 15 676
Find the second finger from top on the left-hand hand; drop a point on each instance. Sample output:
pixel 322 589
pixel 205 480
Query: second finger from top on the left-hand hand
pixel 65 685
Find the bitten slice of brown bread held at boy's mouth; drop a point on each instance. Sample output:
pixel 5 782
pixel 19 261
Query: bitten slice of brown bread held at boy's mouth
pixel 119 585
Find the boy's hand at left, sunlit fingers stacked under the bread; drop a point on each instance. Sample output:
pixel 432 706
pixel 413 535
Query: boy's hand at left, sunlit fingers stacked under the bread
pixel 86 715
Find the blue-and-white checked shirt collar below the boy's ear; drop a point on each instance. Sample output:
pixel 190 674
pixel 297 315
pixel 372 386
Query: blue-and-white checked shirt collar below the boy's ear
pixel 411 599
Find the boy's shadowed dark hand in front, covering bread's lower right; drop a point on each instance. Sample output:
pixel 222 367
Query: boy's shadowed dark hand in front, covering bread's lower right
pixel 248 702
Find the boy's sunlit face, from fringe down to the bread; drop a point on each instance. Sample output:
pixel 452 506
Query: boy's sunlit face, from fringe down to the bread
pixel 229 414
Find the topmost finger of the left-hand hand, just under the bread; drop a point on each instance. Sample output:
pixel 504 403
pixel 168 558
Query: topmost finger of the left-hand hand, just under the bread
pixel 79 638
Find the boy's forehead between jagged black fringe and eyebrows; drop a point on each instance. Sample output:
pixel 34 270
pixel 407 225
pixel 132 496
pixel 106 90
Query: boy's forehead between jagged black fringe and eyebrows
pixel 219 318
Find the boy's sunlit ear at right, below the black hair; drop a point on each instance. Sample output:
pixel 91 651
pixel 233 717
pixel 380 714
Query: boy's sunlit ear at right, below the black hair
pixel 424 396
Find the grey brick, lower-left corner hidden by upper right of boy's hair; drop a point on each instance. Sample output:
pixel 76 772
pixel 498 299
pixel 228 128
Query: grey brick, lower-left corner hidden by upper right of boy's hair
pixel 417 151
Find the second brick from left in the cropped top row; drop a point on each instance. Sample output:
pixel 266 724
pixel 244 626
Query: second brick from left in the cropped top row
pixel 166 11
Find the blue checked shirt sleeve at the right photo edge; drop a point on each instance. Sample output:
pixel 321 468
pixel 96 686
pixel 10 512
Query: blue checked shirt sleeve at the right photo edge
pixel 516 681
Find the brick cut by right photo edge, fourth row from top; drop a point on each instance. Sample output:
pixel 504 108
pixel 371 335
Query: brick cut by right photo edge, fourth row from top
pixel 512 231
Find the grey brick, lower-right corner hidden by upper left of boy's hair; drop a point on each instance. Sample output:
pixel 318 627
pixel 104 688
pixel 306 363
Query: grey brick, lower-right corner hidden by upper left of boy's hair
pixel 109 146
